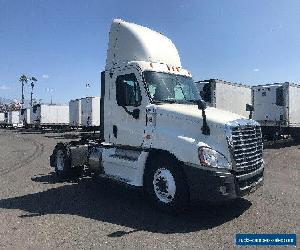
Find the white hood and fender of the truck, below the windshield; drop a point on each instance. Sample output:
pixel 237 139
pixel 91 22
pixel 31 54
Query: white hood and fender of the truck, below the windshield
pixel 178 128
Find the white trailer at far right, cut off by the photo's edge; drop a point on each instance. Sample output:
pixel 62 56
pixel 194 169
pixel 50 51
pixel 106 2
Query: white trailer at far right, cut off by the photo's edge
pixel 276 108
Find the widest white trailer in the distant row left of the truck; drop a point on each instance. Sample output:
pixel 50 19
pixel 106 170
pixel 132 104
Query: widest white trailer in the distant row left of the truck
pixel 49 115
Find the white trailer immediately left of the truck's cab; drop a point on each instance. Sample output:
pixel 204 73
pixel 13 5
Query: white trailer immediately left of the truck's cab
pixel 90 111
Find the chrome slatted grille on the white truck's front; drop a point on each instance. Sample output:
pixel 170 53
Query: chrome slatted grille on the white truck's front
pixel 247 147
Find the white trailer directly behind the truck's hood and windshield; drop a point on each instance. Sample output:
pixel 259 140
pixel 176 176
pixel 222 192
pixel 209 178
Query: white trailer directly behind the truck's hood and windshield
pixel 224 95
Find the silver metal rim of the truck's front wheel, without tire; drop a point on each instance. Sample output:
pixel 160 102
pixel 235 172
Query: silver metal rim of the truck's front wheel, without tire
pixel 164 185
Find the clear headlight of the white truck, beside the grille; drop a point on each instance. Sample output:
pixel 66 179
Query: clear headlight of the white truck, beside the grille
pixel 212 158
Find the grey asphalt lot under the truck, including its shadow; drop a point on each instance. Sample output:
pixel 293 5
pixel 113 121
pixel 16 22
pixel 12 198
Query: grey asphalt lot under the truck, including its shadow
pixel 39 211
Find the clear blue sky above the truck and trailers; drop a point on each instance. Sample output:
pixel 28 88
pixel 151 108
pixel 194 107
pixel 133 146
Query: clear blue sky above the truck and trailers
pixel 63 43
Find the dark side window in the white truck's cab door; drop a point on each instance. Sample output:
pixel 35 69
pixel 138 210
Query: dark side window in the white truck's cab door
pixel 128 91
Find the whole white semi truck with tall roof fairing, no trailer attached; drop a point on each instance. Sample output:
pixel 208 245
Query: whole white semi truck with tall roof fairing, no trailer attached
pixel 156 132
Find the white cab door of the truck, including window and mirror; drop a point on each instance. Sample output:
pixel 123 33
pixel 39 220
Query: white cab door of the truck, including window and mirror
pixel 128 101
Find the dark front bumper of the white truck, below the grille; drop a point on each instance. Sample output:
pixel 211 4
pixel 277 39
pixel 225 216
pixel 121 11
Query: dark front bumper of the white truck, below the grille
pixel 218 184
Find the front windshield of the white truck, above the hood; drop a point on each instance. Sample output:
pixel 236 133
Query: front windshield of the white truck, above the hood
pixel 171 88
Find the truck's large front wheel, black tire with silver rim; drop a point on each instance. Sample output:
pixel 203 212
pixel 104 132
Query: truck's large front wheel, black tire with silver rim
pixel 165 184
